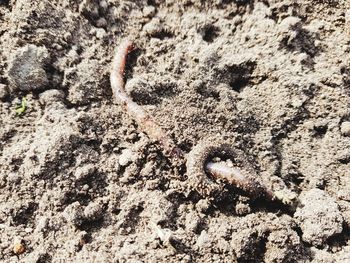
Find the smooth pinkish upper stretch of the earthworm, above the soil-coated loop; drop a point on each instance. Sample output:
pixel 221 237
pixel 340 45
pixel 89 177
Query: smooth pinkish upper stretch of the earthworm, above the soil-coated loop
pixel 143 119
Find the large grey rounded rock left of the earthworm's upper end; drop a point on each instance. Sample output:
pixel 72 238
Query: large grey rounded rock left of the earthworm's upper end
pixel 26 68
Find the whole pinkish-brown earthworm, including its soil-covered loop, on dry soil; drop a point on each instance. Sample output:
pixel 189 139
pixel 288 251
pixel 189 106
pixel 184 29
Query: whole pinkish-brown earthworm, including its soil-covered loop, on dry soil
pixel 199 160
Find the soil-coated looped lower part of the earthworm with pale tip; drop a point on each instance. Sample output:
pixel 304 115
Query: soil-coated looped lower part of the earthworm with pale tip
pixel 243 175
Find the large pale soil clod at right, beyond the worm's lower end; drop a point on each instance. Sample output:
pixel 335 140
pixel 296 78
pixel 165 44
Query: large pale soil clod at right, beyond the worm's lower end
pixel 319 217
